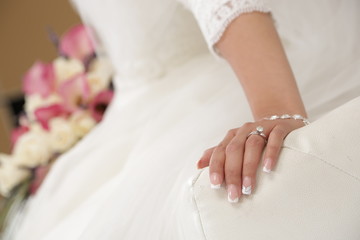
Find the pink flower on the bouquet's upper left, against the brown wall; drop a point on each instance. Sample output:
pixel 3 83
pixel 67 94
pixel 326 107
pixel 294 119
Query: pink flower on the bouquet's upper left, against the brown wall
pixel 39 79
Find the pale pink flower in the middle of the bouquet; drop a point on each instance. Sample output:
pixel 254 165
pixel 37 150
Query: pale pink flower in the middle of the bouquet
pixel 75 92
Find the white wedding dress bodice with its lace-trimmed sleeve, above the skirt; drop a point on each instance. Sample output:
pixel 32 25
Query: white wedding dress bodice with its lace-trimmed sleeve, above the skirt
pixel 146 38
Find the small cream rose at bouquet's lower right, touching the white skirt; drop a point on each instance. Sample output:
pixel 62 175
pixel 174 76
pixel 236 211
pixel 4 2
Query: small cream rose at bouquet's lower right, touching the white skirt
pixel 82 123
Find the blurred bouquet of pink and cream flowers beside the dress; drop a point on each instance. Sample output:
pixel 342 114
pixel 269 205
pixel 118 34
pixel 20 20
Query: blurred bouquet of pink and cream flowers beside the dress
pixel 64 100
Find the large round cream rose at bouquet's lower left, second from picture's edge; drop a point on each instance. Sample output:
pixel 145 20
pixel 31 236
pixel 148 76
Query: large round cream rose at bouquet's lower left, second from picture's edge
pixel 32 149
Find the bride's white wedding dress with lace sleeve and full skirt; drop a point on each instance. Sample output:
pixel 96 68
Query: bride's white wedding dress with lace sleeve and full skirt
pixel 129 178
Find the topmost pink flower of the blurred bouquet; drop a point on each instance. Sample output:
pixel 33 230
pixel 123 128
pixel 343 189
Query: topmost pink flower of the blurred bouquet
pixel 76 43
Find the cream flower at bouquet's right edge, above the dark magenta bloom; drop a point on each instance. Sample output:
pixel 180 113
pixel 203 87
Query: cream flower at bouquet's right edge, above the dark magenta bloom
pixel 99 75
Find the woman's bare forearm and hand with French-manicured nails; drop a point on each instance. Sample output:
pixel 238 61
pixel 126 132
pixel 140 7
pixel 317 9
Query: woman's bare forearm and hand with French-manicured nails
pixel 253 49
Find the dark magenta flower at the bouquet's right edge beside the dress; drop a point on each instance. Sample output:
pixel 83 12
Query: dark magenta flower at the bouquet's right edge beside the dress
pixel 100 103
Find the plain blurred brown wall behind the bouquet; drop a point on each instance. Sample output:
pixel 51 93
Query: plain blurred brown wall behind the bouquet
pixel 24 39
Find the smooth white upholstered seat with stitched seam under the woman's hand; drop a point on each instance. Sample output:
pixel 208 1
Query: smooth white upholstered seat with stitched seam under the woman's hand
pixel 313 193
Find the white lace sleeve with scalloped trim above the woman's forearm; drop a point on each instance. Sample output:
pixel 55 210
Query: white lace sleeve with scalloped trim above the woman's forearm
pixel 214 16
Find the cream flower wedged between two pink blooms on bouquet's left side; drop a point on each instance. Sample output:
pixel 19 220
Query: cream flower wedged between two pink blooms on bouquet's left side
pixel 35 101
